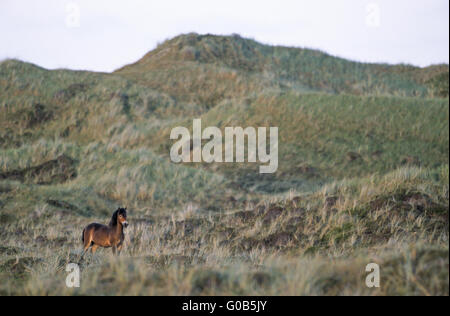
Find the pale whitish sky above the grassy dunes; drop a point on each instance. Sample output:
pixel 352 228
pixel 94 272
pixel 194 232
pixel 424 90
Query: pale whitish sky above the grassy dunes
pixel 103 35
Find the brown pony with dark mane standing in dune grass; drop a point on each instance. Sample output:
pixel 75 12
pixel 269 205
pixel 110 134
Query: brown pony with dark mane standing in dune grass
pixel 98 235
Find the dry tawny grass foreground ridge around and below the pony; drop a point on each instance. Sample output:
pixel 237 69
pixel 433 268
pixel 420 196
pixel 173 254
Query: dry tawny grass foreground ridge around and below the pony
pixel 297 245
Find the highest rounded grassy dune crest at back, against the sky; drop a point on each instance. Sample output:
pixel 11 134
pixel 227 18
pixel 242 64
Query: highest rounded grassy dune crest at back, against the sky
pixel 190 61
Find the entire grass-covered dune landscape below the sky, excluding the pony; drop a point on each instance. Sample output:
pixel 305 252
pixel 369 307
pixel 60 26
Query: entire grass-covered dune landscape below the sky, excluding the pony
pixel 363 174
